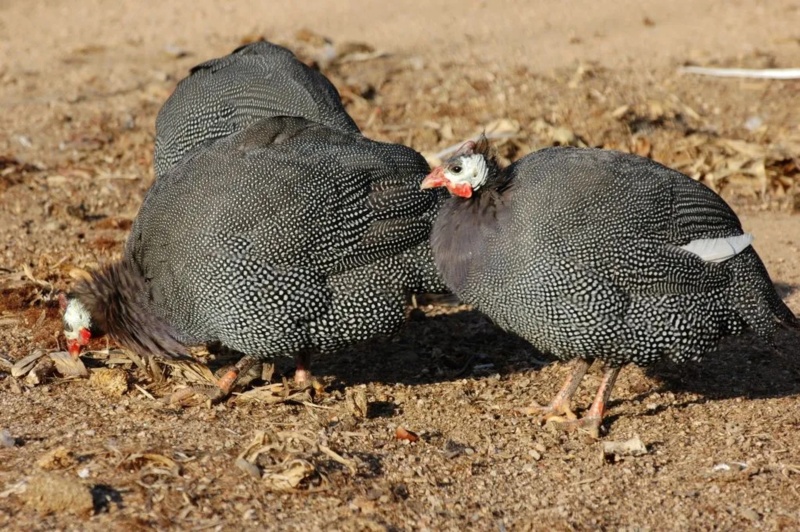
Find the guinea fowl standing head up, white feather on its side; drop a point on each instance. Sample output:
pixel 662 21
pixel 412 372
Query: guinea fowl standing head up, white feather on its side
pixel 595 254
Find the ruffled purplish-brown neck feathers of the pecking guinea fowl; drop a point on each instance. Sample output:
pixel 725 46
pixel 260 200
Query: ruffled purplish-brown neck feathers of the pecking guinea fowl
pixel 118 301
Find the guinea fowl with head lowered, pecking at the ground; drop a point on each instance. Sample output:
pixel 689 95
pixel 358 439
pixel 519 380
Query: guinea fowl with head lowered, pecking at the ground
pixel 286 238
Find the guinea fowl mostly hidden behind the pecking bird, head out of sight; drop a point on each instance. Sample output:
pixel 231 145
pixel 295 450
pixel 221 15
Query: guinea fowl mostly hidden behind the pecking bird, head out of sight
pixel 227 94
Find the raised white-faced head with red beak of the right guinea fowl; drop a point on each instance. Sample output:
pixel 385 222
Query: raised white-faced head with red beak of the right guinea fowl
pixel 471 168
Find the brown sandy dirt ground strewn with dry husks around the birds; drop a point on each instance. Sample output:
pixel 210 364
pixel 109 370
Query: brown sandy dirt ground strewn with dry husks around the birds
pixel 80 85
